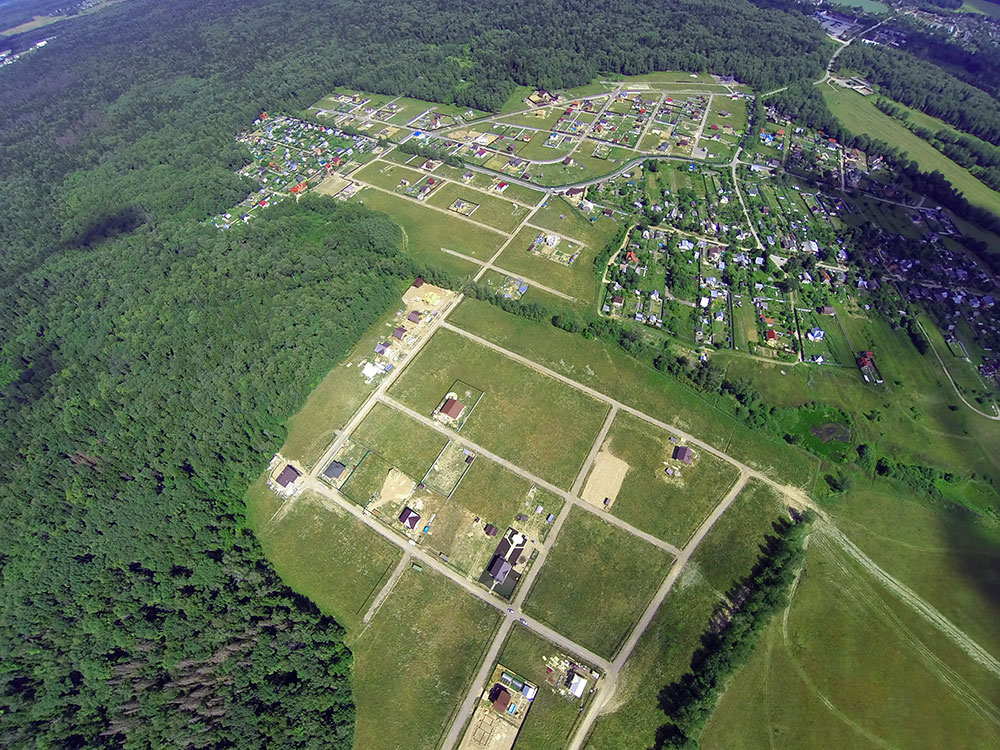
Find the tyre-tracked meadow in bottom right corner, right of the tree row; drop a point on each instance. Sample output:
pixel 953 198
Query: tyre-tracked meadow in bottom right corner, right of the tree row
pixel 851 666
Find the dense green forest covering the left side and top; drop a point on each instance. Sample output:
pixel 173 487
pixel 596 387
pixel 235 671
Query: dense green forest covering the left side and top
pixel 148 361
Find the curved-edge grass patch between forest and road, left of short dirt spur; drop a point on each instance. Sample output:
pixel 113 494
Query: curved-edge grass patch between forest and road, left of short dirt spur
pixel 323 553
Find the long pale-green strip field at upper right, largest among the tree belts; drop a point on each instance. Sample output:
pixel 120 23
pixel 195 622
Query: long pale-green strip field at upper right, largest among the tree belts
pixel 859 115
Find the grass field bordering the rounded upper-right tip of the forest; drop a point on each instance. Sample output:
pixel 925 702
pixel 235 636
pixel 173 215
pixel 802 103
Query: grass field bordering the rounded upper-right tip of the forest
pixel 428 231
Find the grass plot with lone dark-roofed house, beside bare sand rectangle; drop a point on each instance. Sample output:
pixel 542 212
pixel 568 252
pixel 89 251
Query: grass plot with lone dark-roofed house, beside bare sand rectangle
pixel 670 507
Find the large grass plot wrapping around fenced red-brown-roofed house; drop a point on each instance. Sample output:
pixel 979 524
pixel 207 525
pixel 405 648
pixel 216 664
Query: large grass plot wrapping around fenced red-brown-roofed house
pixel 526 417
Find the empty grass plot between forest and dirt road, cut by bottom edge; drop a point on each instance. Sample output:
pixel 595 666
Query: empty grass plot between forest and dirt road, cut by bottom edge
pixel 426 642
